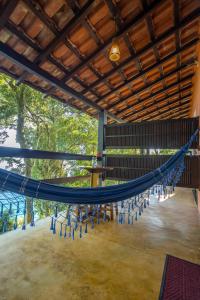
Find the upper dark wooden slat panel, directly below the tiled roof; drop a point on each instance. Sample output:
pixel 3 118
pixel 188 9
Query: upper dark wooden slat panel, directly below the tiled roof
pixel 167 134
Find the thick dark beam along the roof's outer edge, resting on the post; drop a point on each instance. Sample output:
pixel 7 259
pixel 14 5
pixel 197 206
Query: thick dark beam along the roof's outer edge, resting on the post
pixel 31 67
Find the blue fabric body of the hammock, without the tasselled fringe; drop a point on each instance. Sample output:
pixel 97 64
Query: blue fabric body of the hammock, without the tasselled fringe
pixel 168 173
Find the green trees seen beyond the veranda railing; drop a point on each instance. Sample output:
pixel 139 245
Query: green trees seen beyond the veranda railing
pixel 44 124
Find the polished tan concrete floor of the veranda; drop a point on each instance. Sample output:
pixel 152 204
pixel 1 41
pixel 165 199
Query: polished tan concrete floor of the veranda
pixel 112 262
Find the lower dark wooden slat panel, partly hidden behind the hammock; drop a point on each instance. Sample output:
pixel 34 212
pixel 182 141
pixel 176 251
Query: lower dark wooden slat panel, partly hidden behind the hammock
pixel 131 167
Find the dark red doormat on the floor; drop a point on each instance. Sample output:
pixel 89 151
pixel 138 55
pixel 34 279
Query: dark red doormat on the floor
pixel 181 280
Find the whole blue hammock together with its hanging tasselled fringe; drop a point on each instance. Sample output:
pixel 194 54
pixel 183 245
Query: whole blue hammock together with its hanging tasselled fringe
pixel 88 206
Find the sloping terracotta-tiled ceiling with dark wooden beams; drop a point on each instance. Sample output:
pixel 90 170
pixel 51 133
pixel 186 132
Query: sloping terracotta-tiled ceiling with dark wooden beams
pixel 61 49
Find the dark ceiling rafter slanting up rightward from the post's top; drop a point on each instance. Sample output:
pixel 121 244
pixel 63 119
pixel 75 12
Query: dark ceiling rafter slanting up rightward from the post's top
pixel 159 80
